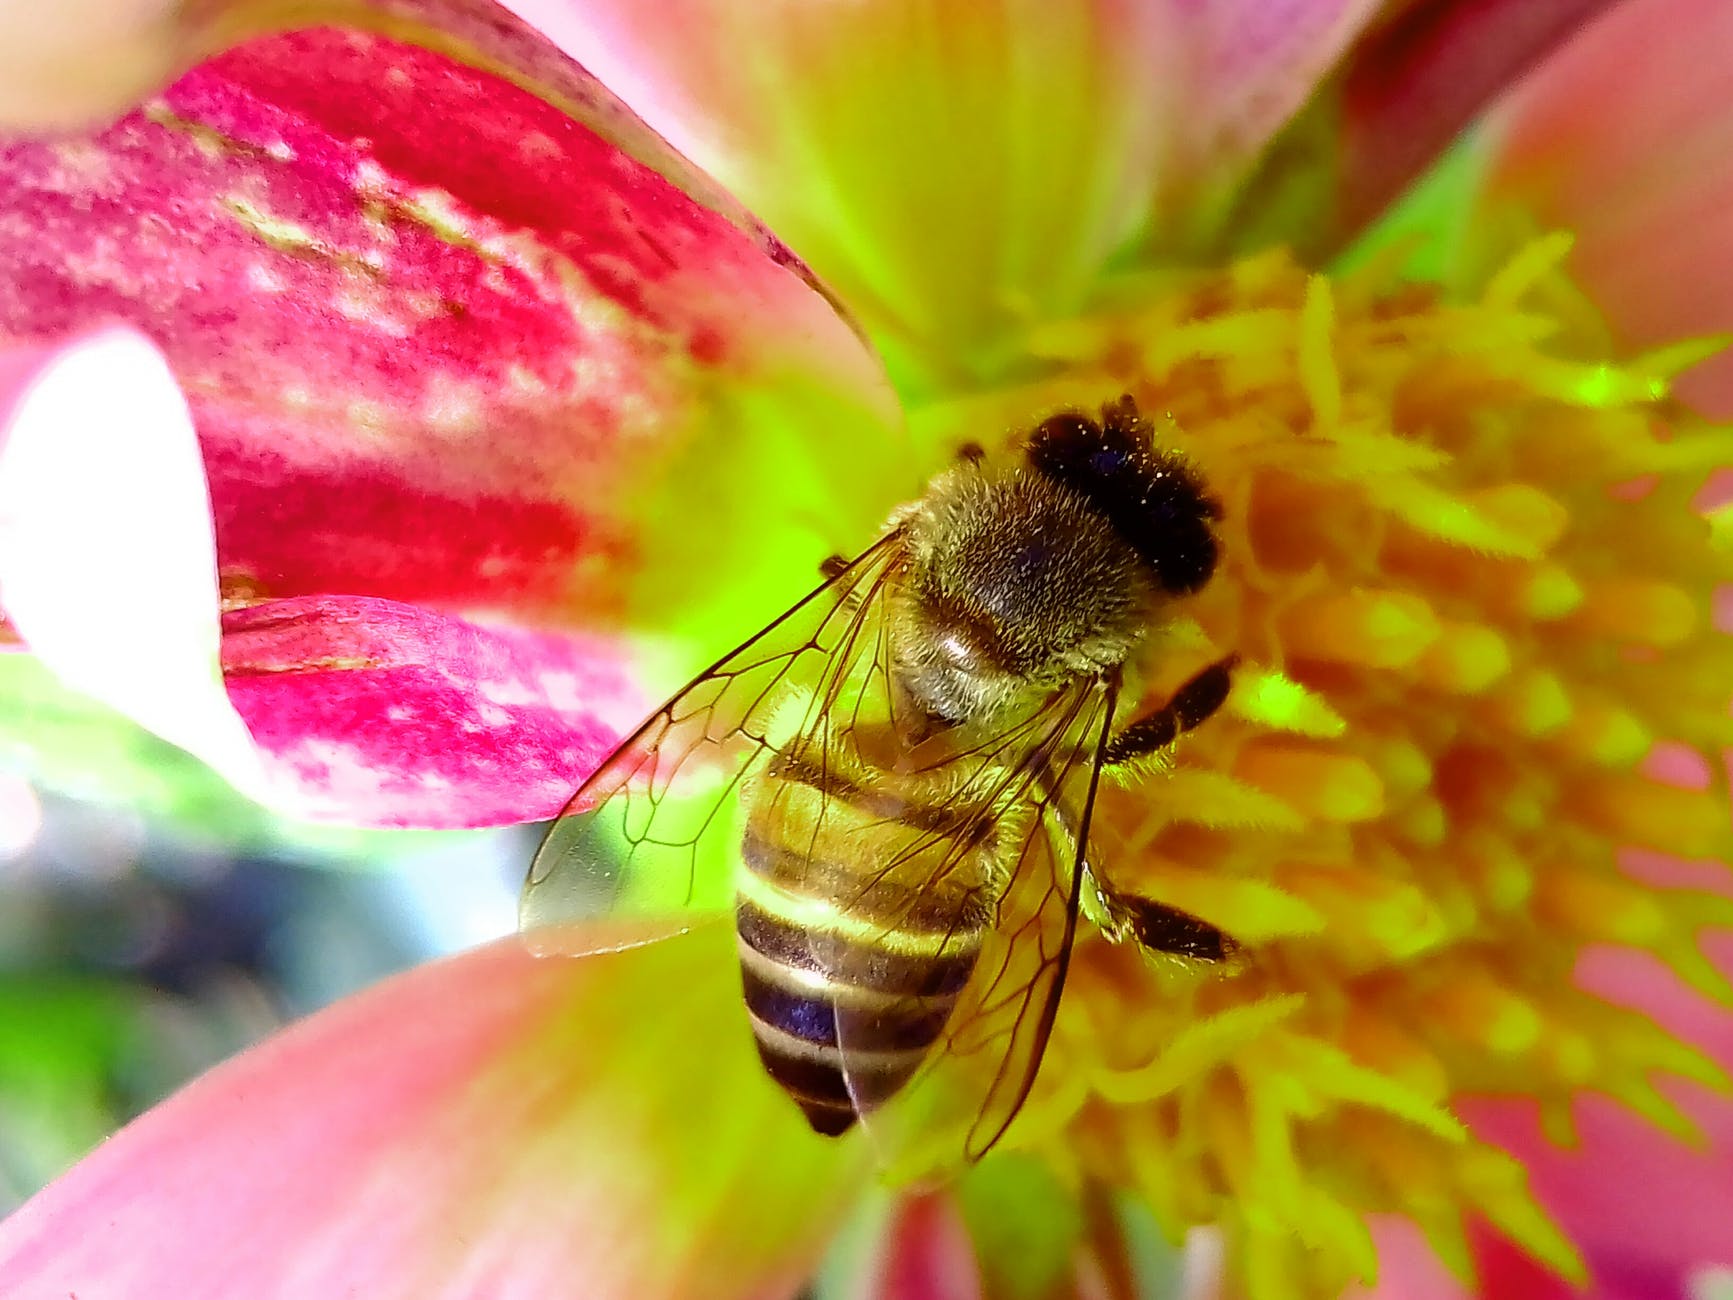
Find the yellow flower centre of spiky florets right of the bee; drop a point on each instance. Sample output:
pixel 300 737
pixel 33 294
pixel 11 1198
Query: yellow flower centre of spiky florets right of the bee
pixel 1470 585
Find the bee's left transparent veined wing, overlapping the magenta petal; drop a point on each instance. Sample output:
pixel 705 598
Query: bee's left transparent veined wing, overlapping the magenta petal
pixel 640 838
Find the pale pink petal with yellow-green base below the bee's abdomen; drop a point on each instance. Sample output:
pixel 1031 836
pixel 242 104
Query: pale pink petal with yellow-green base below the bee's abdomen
pixel 491 1126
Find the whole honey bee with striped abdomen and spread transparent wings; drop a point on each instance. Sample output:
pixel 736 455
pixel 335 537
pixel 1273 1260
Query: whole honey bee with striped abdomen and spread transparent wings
pixel 914 751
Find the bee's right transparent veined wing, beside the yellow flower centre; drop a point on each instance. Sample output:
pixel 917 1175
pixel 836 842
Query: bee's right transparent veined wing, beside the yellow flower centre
pixel 987 1058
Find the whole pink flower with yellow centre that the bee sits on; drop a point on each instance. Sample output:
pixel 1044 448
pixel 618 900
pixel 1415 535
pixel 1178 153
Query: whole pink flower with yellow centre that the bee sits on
pixel 1464 571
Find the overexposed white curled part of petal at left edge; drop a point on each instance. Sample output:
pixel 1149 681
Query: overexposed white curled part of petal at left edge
pixel 108 571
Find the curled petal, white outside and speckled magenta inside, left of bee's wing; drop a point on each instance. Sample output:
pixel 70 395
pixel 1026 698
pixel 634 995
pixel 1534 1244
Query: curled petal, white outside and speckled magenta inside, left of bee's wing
pixel 342 708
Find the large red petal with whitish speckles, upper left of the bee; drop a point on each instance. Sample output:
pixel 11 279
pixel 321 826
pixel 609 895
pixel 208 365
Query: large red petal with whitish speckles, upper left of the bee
pixel 445 342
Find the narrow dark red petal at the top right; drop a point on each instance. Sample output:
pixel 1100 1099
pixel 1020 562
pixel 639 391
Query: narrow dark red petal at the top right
pixel 1420 79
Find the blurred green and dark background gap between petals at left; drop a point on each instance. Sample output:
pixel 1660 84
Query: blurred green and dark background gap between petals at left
pixel 153 921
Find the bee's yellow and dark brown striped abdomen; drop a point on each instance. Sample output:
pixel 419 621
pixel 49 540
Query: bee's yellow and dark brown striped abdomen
pixel 860 918
